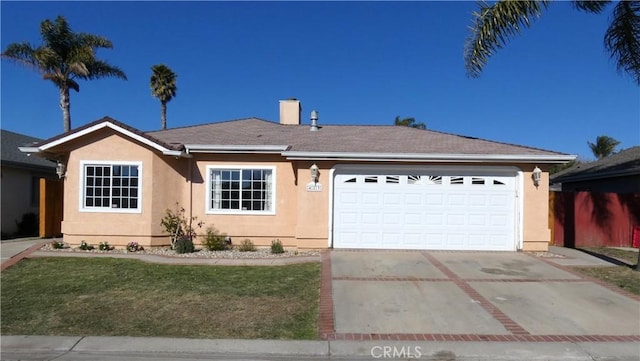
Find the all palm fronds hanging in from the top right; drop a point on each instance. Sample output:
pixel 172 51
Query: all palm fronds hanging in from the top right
pixel 493 25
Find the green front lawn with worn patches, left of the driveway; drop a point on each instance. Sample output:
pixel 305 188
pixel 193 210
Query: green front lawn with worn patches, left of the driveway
pixel 109 297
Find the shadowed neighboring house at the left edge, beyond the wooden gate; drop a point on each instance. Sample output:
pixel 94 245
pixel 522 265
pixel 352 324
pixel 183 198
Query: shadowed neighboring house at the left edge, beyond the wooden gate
pixel 20 181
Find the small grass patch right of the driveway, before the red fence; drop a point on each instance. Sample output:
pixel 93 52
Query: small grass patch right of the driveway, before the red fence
pixel 622 276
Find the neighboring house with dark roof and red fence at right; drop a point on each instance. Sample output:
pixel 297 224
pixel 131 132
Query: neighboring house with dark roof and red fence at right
pixel 597 204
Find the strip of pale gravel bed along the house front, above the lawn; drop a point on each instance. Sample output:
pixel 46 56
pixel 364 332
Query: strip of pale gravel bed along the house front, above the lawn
pixel 199 253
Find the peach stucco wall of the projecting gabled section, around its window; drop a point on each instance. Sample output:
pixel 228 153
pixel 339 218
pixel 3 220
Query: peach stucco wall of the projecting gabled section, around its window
pixel 118 228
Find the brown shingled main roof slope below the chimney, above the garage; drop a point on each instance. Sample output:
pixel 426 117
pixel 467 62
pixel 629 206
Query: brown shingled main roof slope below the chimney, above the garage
pixel 339 138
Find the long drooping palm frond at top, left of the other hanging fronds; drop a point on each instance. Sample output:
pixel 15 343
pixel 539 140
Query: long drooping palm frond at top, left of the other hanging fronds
pixel 493 26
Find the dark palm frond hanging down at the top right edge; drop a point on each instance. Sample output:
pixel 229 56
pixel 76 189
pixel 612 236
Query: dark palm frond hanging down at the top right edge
pixel 622 38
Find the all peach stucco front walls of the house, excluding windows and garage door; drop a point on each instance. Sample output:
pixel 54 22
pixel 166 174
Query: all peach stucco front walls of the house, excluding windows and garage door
pixel 301 218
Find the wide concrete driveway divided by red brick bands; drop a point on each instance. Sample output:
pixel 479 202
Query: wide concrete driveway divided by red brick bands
pixel 469 296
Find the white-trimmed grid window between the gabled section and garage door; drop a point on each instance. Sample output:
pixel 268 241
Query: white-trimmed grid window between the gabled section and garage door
pixel 240 190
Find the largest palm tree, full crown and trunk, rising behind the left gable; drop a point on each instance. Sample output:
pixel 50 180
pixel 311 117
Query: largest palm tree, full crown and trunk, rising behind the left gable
pixel 64 57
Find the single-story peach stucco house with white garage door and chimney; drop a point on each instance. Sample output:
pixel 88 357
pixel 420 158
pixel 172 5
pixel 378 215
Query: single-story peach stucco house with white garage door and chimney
pixel 379 187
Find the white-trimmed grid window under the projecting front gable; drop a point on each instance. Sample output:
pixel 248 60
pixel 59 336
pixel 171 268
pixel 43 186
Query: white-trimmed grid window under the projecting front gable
pixel 109 187
